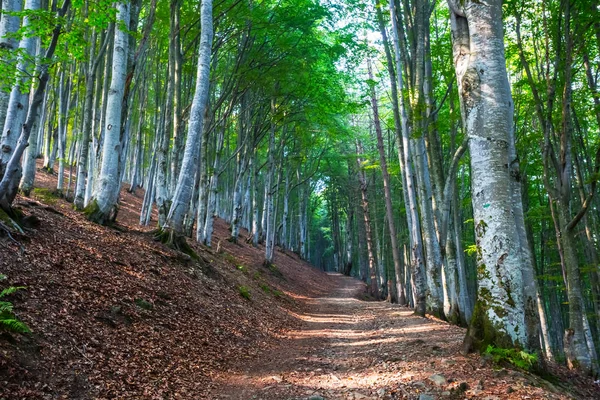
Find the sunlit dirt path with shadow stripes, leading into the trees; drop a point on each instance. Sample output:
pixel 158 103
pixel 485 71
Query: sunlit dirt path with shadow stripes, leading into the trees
pixel 353 349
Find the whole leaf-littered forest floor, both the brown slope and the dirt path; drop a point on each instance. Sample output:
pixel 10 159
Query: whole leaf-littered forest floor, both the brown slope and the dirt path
pixel 116 315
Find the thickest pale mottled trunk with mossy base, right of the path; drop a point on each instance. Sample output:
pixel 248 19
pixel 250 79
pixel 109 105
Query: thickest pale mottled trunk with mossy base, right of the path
pixel 486 106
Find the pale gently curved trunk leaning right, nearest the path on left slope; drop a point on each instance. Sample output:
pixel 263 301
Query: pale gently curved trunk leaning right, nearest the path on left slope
pixel 185 183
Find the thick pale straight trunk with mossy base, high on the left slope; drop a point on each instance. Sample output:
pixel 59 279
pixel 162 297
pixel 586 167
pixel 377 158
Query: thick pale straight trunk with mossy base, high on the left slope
pixel 102 207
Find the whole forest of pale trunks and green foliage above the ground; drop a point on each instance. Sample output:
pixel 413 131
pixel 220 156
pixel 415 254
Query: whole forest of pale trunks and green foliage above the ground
pixel 445 153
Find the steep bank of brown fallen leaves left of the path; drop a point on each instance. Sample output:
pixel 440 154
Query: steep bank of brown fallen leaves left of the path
pixel 116 314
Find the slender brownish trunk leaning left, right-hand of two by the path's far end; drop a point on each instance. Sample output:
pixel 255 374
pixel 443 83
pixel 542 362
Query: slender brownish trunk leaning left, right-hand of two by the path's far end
pixel 389 210
